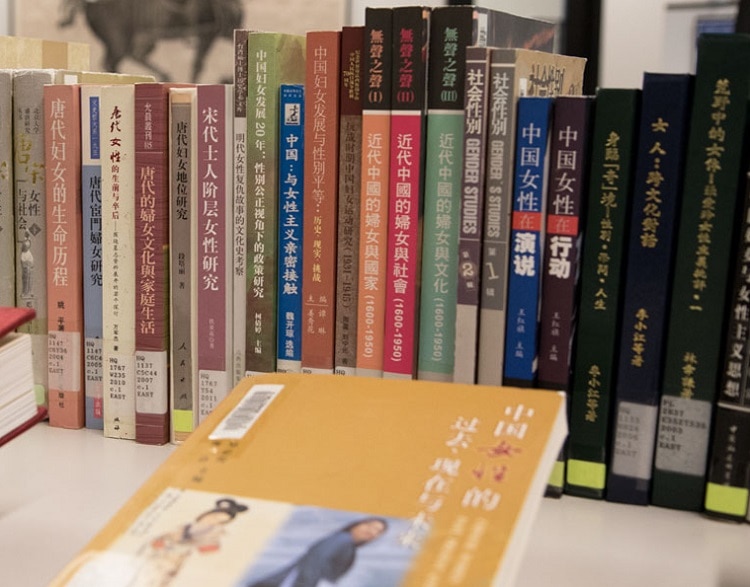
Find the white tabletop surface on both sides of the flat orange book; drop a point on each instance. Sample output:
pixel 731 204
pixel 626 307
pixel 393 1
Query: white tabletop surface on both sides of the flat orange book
pixel 60 486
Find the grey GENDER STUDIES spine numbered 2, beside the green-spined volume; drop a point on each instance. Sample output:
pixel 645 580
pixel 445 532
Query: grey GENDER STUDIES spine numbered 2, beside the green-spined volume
pixel 471 213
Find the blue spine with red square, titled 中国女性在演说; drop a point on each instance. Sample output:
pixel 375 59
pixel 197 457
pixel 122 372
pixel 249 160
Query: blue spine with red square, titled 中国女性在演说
pixel 527 229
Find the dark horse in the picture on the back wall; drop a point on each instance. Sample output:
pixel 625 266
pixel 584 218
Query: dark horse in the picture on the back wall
pixel 131 28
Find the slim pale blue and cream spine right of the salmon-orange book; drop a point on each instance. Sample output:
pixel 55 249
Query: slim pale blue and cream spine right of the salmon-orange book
pixel 91 208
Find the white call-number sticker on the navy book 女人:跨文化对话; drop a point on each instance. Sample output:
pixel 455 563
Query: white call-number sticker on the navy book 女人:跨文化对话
pixel 634 440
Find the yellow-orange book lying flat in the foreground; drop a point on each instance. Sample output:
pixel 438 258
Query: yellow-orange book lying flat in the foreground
pixel 312 480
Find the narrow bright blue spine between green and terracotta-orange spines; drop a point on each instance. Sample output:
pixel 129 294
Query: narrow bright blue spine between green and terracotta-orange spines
pixel 291 175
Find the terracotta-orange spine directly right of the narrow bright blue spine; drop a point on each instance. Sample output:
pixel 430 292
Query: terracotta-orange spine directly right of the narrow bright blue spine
pixel 320 200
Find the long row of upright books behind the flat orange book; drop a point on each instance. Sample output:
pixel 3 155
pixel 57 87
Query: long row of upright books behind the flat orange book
pixel 490 307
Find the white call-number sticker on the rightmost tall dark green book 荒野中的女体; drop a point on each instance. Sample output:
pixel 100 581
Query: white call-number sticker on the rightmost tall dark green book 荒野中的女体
pixel 682 438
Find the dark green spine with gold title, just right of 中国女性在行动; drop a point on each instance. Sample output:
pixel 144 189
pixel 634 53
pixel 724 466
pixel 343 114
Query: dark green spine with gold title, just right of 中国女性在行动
pixel 607 214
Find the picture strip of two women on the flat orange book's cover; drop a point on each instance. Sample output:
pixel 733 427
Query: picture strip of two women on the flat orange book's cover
pixel 193 538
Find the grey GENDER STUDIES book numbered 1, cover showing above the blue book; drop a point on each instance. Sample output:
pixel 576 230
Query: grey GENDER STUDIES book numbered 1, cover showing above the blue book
pixel 514 73
